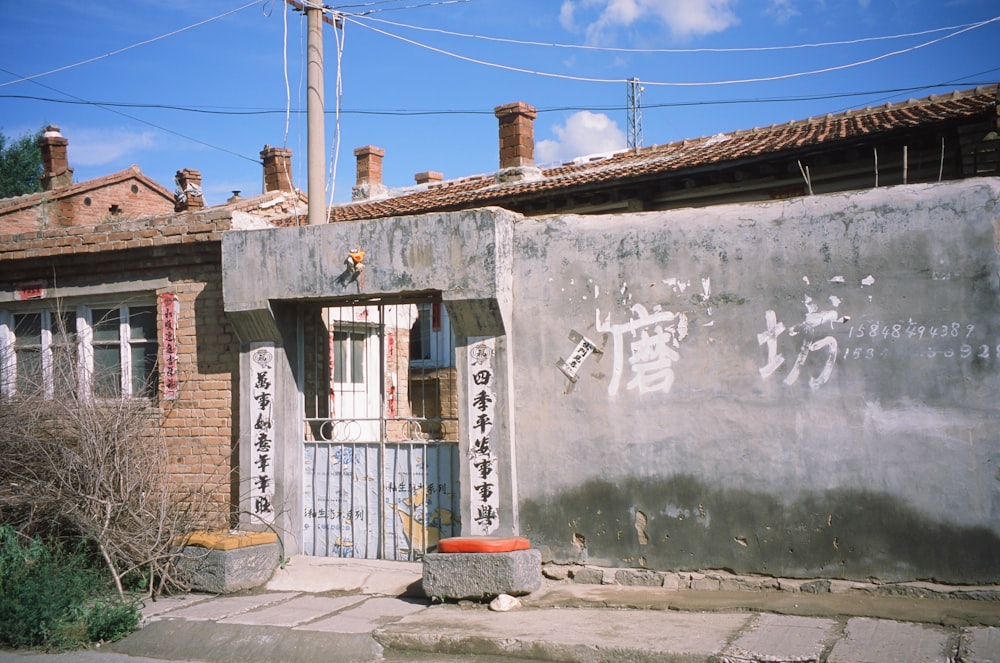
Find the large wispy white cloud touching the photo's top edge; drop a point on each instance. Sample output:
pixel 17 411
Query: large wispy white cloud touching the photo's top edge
pixel 684 18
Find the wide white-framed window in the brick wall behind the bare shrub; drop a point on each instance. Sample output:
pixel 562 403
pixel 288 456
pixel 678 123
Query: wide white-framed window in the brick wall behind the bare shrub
pixel 90 350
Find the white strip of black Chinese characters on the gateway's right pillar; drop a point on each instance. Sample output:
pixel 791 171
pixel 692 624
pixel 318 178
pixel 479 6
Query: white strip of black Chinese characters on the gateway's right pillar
pixel 483 470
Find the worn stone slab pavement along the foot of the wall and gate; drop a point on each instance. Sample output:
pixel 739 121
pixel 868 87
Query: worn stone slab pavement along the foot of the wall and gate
pixel 342 610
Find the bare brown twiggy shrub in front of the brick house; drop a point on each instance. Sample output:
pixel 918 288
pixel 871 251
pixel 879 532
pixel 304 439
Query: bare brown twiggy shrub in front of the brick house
pixel 77 467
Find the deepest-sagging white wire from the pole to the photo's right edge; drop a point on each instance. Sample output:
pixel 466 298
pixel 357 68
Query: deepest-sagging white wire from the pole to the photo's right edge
pixel 586 79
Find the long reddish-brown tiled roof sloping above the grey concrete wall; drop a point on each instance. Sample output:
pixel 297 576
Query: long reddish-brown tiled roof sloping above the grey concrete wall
pixel 674 158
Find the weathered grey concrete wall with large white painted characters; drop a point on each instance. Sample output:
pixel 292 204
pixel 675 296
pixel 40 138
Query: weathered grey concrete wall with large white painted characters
pixel 804 388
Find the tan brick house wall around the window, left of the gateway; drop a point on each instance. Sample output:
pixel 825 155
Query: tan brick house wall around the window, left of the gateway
pixel 200 426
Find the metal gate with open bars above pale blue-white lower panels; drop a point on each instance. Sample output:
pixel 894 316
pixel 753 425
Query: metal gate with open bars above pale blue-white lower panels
pixel 381 454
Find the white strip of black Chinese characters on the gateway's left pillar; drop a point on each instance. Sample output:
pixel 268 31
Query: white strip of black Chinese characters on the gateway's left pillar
pixel 262 427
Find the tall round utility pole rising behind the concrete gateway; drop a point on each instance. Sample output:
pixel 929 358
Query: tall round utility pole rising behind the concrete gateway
pixel 315 115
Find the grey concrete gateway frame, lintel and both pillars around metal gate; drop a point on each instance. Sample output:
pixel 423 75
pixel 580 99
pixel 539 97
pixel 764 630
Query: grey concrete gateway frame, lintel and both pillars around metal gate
pixel 467 256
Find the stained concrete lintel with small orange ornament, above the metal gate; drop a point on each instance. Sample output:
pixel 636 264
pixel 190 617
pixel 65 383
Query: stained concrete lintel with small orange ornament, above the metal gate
pixel 466 255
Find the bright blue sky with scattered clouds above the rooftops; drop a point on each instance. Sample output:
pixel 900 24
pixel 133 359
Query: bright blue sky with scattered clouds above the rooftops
pixel 206 84
